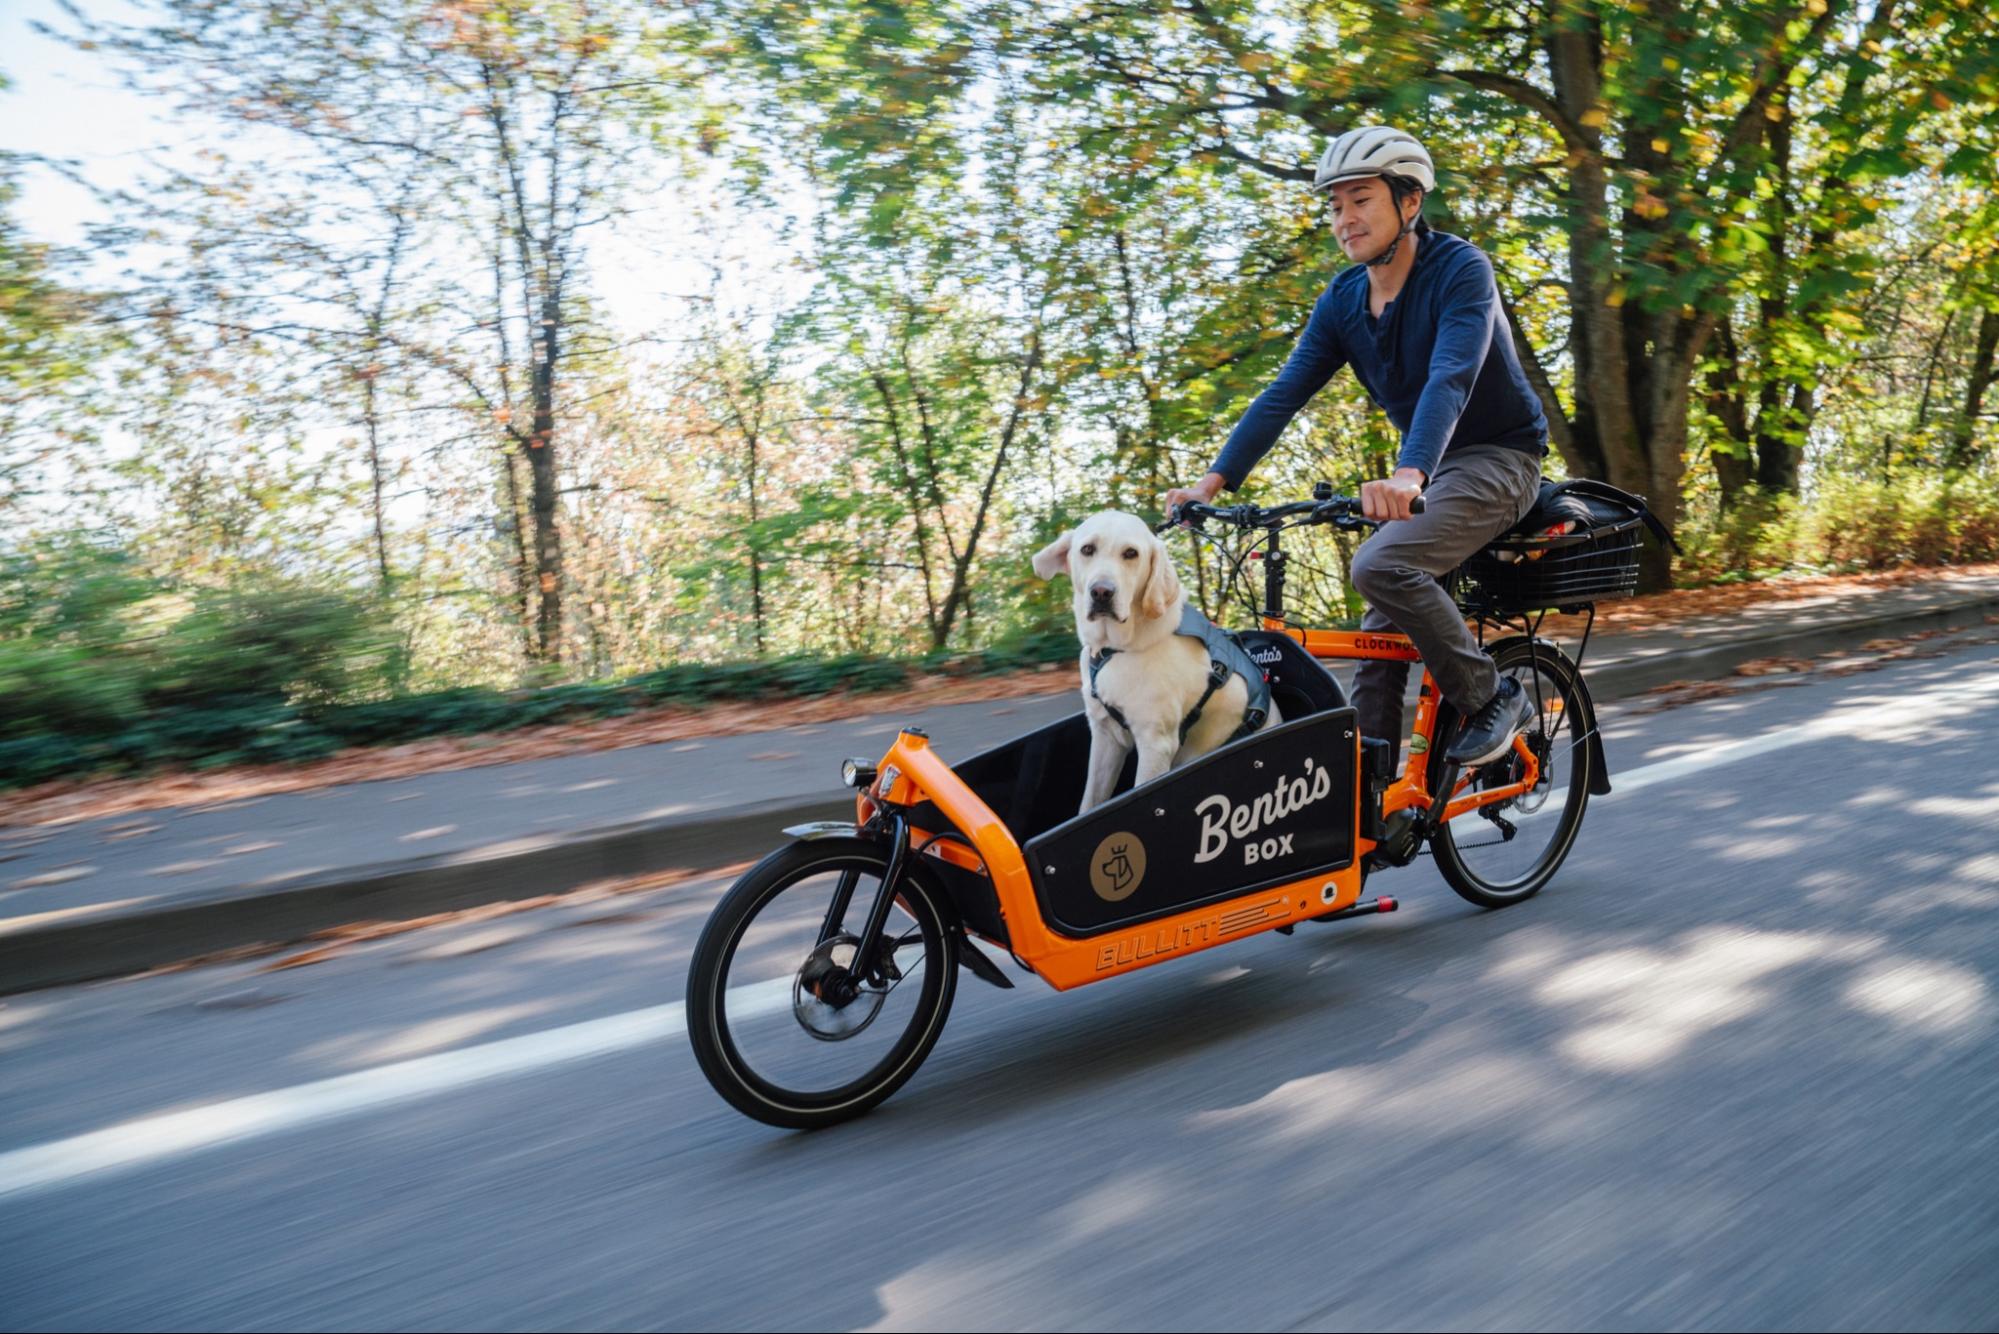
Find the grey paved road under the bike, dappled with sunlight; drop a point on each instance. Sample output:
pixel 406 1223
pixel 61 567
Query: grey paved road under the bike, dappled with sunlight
pixel 1734 1069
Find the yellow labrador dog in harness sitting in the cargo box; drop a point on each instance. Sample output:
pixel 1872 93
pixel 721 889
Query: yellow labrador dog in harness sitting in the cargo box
pixel 1154 675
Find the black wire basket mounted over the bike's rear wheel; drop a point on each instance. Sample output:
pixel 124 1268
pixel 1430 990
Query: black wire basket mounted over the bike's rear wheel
pixel 1564 573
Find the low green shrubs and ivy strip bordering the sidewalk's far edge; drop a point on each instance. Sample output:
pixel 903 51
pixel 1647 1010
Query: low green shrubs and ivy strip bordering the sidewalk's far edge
pixel 105 671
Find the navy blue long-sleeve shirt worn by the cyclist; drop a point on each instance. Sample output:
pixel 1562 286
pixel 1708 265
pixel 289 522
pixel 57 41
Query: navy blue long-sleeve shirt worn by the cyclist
pixel 1440 363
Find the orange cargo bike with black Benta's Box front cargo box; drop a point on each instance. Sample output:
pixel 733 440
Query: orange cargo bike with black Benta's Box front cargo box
pixel 827 973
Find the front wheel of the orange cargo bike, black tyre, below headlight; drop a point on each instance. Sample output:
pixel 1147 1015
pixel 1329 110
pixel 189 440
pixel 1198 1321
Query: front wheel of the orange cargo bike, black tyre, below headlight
pixel 783 1021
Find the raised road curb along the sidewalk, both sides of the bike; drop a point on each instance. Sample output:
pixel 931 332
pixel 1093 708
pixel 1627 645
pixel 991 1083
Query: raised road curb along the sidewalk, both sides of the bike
pixel 135 937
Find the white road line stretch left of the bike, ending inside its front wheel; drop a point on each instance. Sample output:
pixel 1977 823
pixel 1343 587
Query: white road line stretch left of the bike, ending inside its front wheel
pixel 159 1139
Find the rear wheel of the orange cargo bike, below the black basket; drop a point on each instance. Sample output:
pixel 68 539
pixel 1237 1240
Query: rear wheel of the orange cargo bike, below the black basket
pixel 1506 853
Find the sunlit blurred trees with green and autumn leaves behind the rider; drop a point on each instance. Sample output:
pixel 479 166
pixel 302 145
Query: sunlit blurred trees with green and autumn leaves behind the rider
pixel 581 341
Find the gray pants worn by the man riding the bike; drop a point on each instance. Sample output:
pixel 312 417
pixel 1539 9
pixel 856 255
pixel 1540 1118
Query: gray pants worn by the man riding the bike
pixel 1478 493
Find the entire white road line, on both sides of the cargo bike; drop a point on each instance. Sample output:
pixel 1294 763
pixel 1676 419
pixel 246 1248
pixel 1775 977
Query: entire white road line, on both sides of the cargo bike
pixel 159 1139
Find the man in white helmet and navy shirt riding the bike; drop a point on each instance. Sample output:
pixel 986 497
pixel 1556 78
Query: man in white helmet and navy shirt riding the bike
pixel 1418 319
